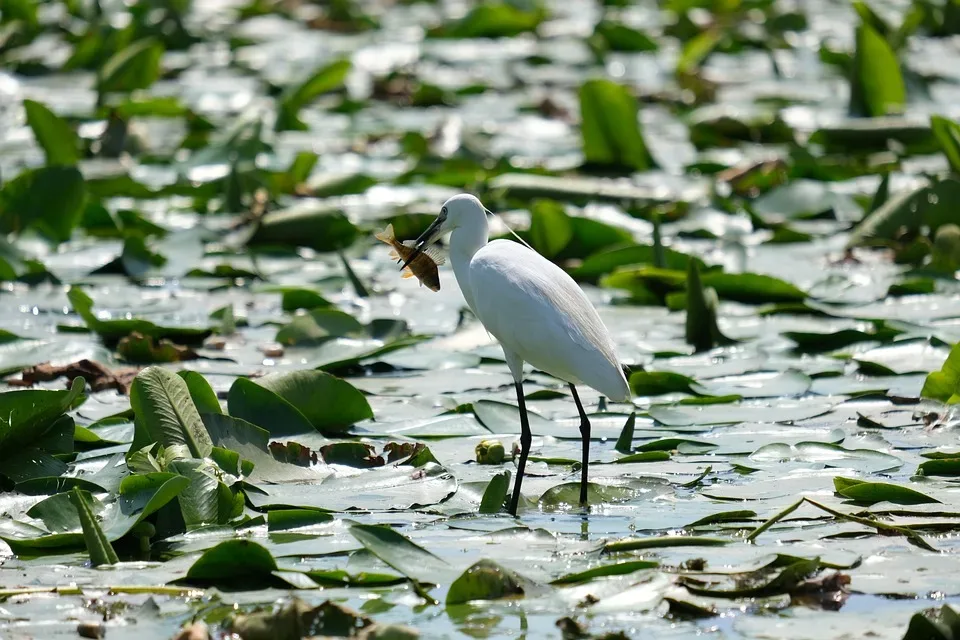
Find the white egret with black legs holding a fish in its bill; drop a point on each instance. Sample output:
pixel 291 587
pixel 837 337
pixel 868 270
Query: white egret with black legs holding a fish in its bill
pixel 535 310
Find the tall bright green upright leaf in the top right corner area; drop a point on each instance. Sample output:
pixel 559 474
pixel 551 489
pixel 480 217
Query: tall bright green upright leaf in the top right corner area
pixel 877 87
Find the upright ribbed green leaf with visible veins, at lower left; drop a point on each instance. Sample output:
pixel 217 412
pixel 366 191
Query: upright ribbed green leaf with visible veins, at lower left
pixel 165 413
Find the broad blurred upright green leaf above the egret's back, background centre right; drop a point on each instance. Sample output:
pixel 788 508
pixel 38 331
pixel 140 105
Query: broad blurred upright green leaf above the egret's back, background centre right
pixel 611 128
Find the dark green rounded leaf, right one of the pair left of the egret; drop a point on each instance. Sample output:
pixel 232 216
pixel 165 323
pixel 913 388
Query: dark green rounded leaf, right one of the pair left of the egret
pixel 329 404
